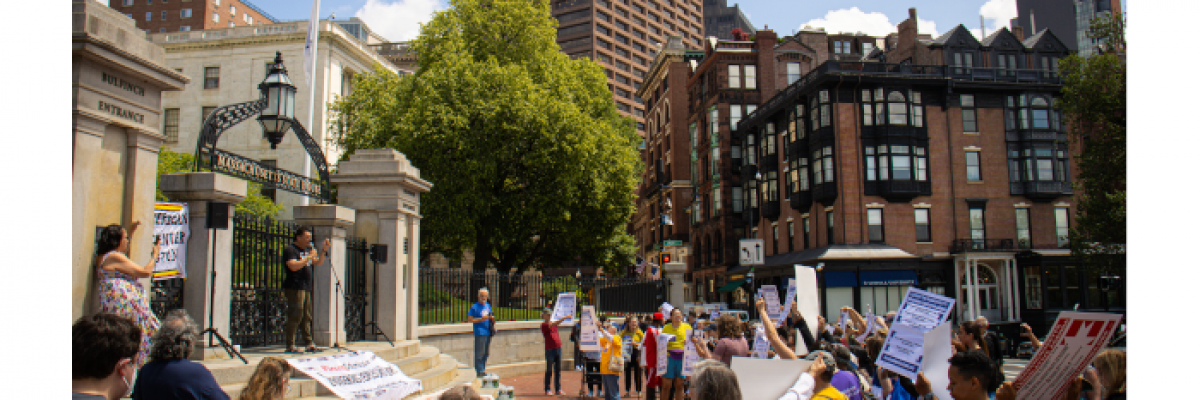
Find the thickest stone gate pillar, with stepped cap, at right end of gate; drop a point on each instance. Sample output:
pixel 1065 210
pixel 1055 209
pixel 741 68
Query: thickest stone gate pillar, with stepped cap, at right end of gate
pixel 385 190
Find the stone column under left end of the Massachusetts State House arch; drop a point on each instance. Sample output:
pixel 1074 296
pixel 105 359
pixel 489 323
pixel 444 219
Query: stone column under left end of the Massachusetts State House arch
pixel 208 250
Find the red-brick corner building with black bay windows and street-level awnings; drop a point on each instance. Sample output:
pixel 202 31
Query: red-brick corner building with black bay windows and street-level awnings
pixel 945 169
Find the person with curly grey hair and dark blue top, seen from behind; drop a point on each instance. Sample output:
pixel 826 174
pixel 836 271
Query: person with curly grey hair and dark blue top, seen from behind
pixel 171 375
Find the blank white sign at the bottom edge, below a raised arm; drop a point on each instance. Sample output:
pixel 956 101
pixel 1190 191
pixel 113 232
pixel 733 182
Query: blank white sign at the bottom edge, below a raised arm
pixel 767 379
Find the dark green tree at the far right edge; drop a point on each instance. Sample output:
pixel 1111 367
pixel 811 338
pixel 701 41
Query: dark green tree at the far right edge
pixel 1095 106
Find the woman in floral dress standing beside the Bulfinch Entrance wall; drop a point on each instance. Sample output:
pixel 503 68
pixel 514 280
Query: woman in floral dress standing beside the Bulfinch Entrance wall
pixel 121 294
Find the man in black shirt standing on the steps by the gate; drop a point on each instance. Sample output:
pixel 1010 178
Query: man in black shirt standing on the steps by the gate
pixel 298 261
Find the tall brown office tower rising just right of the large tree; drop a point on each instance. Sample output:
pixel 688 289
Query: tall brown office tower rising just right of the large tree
pixel 625 37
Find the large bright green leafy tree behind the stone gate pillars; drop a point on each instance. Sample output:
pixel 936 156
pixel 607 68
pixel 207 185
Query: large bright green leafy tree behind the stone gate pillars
pixel 530 162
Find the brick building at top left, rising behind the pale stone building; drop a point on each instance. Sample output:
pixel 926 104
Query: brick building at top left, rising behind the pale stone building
pixel 171 16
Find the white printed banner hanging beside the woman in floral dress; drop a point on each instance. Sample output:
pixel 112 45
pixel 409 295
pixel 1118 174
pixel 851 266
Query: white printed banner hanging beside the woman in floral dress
pixel 171 230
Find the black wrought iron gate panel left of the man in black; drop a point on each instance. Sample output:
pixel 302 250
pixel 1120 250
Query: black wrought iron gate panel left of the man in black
pixel 259 308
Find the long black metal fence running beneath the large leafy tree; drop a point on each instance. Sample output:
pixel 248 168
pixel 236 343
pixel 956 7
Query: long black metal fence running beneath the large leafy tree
pixel 447 295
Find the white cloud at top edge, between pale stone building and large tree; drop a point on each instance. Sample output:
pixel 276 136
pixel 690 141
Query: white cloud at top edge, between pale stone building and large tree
pixel 398 21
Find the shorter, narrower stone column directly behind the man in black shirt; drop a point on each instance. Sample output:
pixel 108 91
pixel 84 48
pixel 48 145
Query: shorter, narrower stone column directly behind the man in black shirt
pixel 328 222
